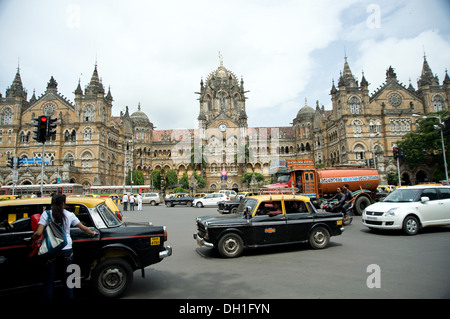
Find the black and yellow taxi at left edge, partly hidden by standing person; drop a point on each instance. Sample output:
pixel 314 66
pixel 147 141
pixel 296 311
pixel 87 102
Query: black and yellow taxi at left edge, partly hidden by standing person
pixel 108 260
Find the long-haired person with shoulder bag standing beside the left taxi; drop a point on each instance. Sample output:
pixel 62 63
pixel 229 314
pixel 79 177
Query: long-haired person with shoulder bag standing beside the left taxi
pixel 64 257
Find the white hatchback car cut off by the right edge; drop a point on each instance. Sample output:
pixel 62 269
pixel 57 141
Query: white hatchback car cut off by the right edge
pixel 410 208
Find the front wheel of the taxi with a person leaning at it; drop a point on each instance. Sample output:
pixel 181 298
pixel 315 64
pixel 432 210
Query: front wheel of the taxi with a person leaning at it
pixel 112 277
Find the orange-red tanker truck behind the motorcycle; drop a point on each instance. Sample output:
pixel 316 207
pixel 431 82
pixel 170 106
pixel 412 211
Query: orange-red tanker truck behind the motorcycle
pixel 320 183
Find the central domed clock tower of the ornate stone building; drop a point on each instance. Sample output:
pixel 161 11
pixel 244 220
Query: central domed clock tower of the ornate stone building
pixel 222 123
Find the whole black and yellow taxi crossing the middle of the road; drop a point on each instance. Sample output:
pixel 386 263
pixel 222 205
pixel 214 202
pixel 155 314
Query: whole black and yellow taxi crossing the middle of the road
pixel 265 220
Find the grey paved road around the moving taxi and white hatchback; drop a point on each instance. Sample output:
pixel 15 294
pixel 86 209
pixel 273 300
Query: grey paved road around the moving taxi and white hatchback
pixel 409 267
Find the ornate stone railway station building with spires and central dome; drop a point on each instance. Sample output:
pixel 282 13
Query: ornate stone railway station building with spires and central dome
pixel 93 147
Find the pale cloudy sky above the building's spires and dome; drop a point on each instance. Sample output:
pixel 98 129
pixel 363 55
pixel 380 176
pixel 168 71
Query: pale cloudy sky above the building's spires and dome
pixel 156 52
